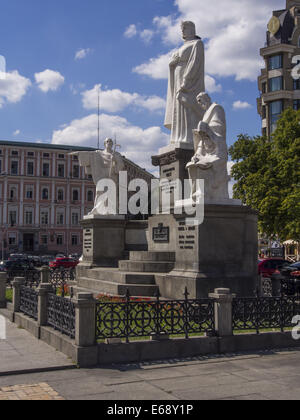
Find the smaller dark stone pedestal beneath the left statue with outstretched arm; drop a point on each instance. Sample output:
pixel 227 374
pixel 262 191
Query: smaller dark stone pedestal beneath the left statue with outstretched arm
pixel 103 240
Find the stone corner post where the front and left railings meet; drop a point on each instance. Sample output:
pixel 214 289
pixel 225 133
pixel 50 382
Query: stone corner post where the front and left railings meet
pixel 85 320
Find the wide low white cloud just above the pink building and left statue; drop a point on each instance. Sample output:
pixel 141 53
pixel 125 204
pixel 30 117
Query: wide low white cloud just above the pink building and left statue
pixel 137 144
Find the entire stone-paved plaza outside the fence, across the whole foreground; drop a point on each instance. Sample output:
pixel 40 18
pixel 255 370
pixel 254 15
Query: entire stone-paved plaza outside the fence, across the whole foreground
pixel 264 375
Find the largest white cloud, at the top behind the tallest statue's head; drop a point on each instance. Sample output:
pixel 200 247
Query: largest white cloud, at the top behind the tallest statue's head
pixel 234 31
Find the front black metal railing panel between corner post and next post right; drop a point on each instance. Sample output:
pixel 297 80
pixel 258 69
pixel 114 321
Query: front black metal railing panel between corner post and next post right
pixel 129 318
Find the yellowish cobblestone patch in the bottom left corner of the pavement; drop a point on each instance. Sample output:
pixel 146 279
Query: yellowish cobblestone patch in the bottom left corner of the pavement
pixel 36 392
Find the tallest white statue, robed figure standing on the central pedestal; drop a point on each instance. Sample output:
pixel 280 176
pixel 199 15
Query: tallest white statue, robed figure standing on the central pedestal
pixel 186 81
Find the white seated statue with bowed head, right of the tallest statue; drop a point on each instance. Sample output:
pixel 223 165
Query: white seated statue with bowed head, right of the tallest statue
pixel 211 154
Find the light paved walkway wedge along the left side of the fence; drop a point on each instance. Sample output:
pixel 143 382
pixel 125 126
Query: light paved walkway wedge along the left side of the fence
pixel 20 353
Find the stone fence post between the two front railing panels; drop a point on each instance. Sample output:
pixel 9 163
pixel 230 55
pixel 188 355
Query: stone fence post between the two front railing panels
pixel 223 312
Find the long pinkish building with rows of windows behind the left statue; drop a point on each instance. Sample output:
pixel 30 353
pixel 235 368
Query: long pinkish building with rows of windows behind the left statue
pixel 44 194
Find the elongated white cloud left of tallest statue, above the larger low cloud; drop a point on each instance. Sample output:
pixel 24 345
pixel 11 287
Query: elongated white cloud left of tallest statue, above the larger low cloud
pixel 115 100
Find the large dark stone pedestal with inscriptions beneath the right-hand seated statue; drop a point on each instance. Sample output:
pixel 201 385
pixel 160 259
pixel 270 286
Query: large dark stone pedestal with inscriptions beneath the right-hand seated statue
pixel 219 253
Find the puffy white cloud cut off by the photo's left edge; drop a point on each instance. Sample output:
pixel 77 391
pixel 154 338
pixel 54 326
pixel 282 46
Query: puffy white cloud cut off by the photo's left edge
pixel 13 87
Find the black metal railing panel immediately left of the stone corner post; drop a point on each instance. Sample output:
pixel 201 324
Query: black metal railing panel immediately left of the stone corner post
pixel 61 314
